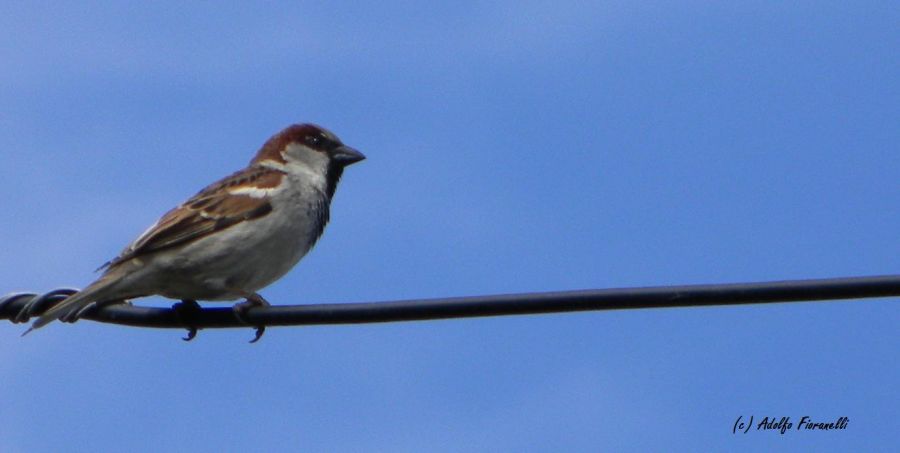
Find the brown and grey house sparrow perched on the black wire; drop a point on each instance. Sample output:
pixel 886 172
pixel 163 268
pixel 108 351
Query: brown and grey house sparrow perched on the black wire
pixel 234 237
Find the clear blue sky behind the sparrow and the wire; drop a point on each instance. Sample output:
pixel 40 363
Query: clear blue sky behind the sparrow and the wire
pixel 513 147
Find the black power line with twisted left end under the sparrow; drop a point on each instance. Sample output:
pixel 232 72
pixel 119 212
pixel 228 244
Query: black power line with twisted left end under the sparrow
pixel 20 307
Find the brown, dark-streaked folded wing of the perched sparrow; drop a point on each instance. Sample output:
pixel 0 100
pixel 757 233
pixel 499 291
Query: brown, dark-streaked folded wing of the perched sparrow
pixel 212 209
